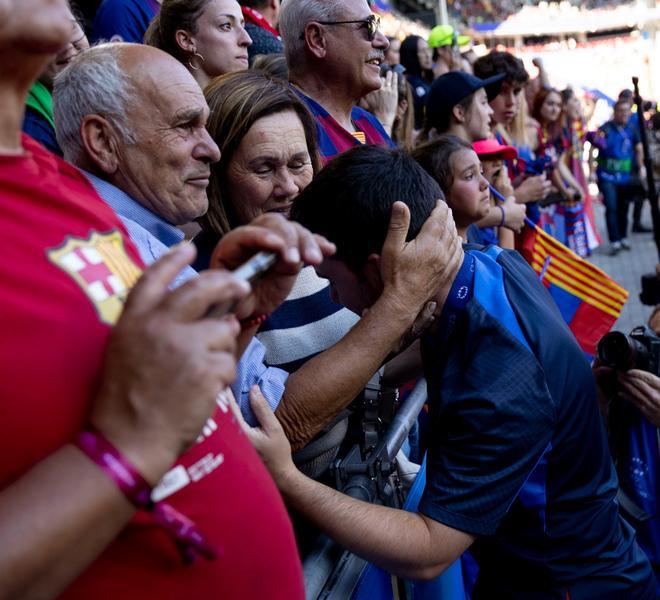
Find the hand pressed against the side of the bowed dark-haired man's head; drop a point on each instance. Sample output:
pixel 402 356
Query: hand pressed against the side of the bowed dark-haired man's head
pixel 424 268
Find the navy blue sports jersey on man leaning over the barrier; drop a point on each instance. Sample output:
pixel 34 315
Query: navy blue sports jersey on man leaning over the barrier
pixel 518 454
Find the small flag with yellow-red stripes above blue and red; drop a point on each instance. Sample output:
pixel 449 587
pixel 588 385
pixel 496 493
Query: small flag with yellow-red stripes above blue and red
pixel 588 298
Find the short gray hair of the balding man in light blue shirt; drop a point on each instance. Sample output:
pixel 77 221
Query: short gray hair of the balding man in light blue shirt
pixel 93 84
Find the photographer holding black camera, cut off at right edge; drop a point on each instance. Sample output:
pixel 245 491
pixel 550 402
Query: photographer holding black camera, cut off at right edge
pixel 628 374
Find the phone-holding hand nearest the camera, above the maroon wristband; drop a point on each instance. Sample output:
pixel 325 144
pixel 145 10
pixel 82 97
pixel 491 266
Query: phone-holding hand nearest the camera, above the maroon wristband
pixel 166 363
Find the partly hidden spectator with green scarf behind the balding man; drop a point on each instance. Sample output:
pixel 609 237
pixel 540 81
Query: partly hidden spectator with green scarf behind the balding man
pixel 38 121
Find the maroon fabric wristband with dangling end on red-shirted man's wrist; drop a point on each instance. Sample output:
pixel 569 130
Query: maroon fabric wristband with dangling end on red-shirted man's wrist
pixel 186 535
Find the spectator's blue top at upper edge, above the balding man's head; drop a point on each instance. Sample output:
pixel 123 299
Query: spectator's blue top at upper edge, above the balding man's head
pixel 123 20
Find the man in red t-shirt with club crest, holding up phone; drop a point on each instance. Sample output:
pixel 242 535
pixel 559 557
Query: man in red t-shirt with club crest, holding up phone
pixel 143 370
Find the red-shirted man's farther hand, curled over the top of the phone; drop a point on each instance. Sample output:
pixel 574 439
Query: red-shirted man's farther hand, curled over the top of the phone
pixel 294 245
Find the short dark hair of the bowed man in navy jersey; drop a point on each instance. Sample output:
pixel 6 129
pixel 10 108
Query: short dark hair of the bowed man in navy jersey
pixel 350 200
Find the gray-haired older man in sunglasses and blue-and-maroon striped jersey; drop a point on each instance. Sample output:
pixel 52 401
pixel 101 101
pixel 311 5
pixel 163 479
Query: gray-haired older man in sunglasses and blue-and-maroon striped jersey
pixel 334 49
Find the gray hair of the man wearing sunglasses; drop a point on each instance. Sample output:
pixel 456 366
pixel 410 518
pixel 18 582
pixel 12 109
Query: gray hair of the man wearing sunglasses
pixel 294 17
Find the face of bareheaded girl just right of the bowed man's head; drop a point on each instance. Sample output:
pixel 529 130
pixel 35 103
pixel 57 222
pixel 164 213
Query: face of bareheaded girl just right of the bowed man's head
pixel 469 196
